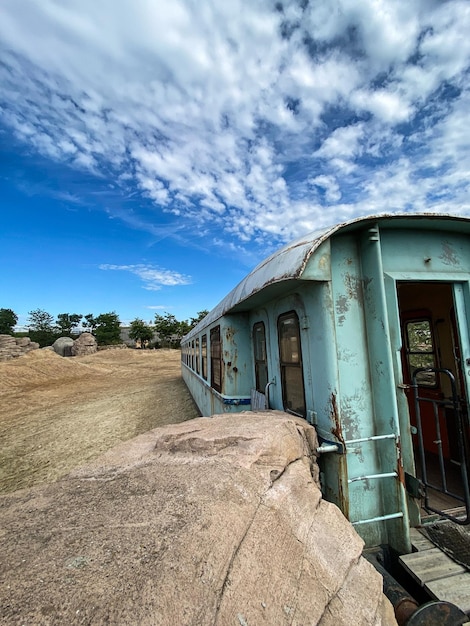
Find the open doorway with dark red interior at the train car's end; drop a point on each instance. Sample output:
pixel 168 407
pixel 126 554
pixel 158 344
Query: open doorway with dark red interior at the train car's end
pixel 434 351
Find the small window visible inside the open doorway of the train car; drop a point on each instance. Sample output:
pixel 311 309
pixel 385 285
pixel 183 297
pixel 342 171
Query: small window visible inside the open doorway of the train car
pixel 420 351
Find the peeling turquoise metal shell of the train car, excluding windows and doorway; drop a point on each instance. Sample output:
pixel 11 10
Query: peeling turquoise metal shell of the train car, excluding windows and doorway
pixel 343 284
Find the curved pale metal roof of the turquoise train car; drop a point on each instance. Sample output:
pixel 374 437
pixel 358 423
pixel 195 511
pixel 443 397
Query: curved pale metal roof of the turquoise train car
pixel 289 262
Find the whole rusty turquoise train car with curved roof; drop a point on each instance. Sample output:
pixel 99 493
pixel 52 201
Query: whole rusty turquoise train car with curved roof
pixel 363 329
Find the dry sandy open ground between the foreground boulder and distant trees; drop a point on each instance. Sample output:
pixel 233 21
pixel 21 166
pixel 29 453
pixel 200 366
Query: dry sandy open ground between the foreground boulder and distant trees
pixel 57 413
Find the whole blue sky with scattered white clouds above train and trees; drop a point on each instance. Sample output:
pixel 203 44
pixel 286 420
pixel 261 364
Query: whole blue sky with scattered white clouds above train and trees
pixel 151 154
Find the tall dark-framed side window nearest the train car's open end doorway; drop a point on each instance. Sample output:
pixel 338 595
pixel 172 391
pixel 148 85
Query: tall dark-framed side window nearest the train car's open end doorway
pixel 290 357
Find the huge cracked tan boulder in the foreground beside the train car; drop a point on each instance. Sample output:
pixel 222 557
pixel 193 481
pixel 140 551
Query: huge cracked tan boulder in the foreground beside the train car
pixel 215 521
